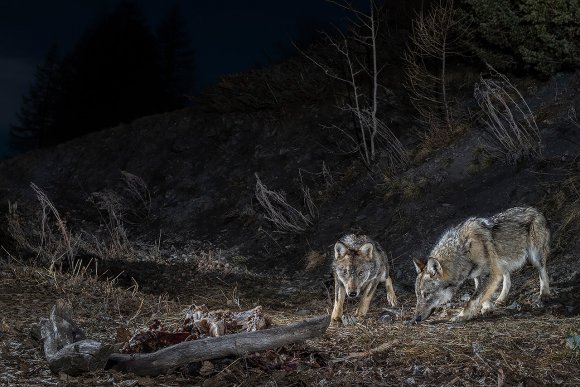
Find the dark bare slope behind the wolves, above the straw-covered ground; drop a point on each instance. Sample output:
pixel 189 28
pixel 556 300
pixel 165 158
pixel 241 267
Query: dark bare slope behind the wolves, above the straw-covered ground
pixel 201 172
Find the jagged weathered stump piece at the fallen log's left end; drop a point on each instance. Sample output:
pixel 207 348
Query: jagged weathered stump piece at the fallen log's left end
pixel 65 346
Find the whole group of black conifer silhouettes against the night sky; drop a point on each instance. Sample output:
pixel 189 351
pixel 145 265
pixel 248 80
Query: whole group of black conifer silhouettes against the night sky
pixel 117 72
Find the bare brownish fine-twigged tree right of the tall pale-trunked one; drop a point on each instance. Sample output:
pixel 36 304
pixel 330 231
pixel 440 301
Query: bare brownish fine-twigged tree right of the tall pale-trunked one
pixel 435 36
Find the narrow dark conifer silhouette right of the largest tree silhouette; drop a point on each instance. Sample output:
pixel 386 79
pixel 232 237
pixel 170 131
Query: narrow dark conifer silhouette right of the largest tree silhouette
pixel 177 58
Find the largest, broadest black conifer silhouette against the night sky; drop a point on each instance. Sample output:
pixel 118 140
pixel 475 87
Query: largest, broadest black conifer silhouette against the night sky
pixel 112 75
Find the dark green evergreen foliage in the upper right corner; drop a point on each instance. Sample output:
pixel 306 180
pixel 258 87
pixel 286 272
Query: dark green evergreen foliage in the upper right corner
pixel 538 35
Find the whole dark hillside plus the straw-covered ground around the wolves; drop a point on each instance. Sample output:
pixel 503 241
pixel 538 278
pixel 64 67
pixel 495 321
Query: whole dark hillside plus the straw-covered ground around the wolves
pixel 205 239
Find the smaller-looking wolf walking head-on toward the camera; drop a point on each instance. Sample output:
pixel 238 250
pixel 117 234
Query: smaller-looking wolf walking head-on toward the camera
pixel 359 265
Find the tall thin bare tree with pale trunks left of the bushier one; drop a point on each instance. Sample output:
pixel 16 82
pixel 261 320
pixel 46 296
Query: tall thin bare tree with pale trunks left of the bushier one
pixel 371 134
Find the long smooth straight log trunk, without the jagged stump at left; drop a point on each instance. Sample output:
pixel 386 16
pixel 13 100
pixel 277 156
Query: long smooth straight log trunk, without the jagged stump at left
pixel 170 358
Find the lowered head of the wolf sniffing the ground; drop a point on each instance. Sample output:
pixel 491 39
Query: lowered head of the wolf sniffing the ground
pixel 431 289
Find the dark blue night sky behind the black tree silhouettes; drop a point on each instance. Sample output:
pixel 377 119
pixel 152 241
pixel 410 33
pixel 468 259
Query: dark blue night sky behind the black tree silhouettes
pixel 228 35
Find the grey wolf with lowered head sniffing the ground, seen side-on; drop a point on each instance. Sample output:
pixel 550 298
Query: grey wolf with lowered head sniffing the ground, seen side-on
pixel 485 249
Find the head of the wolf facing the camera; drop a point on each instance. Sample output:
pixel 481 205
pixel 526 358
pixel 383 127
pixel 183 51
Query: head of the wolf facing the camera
pixel 354 268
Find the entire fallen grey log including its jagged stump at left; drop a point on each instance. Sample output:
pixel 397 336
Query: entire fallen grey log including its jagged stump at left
pixel 67 350
